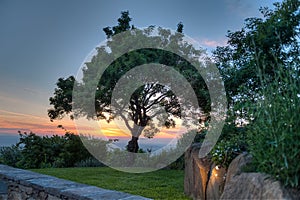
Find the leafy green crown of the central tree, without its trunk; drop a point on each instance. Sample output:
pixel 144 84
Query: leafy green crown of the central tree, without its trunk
pixel 114 61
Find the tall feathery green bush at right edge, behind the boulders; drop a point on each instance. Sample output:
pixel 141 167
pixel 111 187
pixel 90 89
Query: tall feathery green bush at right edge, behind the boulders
pixel 274 134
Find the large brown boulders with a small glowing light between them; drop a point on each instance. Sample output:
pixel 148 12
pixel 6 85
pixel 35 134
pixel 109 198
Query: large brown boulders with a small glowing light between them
pixel 203 180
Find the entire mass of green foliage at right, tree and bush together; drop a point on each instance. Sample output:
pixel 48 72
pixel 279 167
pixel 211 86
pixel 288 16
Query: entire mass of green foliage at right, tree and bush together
pixel 260 67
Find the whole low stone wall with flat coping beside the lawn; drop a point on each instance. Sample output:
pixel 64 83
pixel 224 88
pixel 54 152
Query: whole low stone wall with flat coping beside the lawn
pixel 18 184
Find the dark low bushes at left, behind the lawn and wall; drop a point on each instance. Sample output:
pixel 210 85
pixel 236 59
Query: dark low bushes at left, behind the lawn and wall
pixel 33 151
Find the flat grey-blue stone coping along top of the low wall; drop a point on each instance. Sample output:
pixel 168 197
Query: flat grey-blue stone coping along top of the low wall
pixel 60 188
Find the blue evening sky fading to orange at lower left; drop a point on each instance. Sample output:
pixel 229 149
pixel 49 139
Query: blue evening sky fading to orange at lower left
pixel 42 41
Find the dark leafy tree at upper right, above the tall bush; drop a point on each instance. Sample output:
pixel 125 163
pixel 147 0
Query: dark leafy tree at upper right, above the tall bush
pixel 262 47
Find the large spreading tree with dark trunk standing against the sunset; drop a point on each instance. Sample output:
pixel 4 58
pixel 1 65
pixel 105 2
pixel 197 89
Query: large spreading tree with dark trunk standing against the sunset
pixel 142 109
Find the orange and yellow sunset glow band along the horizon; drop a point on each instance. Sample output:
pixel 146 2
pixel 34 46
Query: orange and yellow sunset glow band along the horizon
pixel 12 122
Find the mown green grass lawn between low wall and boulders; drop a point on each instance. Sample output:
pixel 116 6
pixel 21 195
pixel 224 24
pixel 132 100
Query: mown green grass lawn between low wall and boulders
pixel 162 184
